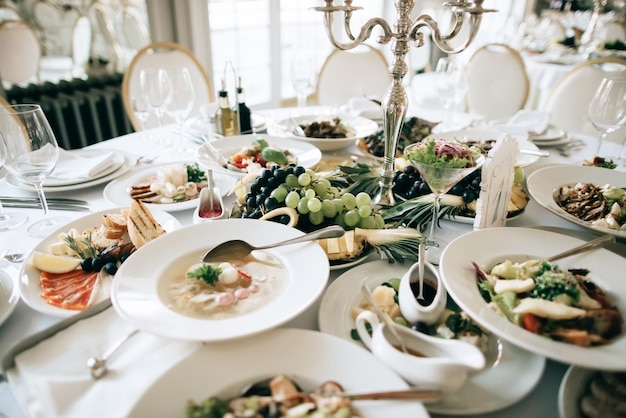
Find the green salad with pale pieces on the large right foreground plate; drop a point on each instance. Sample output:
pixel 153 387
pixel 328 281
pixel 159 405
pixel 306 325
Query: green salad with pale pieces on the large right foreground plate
pixel 544 299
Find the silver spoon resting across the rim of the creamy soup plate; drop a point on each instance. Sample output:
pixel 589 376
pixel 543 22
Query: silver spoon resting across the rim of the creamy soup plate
pixel 235 249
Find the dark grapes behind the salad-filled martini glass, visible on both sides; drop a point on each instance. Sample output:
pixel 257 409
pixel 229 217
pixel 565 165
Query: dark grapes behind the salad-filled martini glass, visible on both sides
pixel 409 185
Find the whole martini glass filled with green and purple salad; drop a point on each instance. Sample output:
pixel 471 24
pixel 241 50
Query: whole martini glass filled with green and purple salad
pixel 441 164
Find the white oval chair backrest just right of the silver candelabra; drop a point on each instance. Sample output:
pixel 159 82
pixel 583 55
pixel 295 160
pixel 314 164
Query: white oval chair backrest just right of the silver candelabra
pixel 497 82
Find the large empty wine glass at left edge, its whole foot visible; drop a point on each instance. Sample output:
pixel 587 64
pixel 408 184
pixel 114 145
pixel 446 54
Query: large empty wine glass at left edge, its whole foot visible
pixel 32 154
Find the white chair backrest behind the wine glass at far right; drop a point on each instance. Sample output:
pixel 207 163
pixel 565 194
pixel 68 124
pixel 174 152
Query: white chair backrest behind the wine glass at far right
pixel 568 99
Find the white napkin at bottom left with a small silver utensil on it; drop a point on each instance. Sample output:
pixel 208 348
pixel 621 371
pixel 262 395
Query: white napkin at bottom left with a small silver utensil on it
pixel 52 379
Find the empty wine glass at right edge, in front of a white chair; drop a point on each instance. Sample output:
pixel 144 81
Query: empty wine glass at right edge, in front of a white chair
pixel 607 108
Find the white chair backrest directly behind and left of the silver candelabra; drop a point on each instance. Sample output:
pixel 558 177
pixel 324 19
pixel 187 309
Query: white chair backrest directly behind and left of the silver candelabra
pixel 360 72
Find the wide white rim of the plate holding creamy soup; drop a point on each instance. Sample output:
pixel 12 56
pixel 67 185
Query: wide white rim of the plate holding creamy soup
pixel 136 295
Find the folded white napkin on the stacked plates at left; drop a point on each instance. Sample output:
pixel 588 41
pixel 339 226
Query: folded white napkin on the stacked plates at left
pixel 71 165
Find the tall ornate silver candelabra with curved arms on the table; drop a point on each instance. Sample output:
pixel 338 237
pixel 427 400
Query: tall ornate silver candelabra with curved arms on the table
pixel 405 30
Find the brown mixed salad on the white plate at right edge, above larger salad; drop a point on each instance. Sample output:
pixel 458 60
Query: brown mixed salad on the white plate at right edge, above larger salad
pixel 602 206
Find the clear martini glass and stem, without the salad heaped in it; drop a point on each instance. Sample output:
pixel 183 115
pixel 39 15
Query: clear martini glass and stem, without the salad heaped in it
pixel 440 179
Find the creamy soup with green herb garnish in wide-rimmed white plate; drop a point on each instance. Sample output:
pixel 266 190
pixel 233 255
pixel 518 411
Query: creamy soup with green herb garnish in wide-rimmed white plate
pixel 225 289
